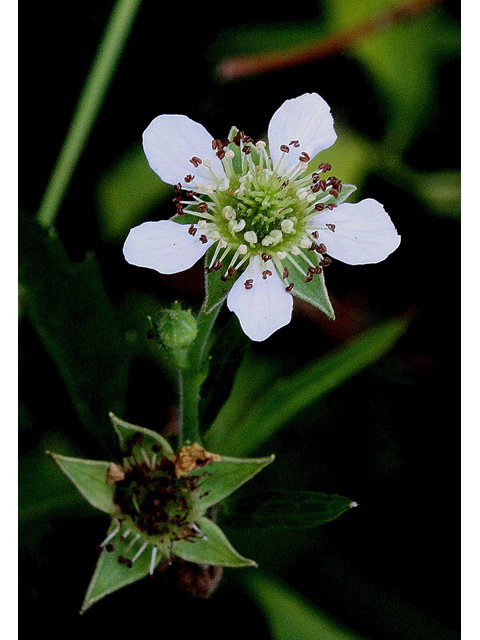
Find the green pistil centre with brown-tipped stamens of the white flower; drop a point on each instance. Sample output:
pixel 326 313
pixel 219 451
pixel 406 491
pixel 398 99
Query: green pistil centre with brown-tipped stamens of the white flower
pixel 258 209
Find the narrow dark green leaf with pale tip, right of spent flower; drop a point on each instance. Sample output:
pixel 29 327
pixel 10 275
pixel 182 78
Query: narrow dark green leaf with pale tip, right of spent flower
pixel 285 509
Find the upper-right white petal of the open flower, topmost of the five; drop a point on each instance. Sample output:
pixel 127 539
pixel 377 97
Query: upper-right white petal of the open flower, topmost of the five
pixel 306 119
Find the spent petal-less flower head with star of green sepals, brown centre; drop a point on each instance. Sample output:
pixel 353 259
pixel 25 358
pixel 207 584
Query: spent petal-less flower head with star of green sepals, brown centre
pixel 160 504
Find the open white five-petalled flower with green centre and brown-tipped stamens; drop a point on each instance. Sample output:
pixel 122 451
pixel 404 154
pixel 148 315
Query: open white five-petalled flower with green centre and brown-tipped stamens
pixel 264 214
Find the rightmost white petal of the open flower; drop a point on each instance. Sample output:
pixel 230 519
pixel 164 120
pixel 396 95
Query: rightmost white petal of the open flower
pixel 364 233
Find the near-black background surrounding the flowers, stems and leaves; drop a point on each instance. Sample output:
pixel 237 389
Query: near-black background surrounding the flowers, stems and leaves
pixel 387 438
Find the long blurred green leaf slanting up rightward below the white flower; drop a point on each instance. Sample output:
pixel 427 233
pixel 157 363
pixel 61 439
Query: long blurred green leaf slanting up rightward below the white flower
pixel 253 414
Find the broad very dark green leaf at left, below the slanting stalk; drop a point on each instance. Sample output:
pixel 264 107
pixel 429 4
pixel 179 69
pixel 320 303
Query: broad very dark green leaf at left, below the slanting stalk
pixel 77 324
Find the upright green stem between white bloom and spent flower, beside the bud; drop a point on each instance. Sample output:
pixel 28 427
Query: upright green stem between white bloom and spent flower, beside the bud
pixel 192 378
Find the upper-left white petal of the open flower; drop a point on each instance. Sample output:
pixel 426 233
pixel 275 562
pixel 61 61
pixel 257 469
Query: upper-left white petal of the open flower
pixel 171 141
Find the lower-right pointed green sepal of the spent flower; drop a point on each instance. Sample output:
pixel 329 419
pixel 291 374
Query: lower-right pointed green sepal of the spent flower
pixel 213 548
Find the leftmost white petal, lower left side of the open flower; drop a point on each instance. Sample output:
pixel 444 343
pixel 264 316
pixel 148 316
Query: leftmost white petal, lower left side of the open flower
pixel 165 246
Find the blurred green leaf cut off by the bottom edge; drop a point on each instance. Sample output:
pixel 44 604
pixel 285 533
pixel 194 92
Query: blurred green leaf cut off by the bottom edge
pixel 290 617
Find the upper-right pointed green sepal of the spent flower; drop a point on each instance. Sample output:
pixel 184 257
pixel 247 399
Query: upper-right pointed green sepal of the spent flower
pixel 222 478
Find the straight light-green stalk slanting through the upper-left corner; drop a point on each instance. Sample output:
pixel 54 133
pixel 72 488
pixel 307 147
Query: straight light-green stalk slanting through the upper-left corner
pixel 88 107
